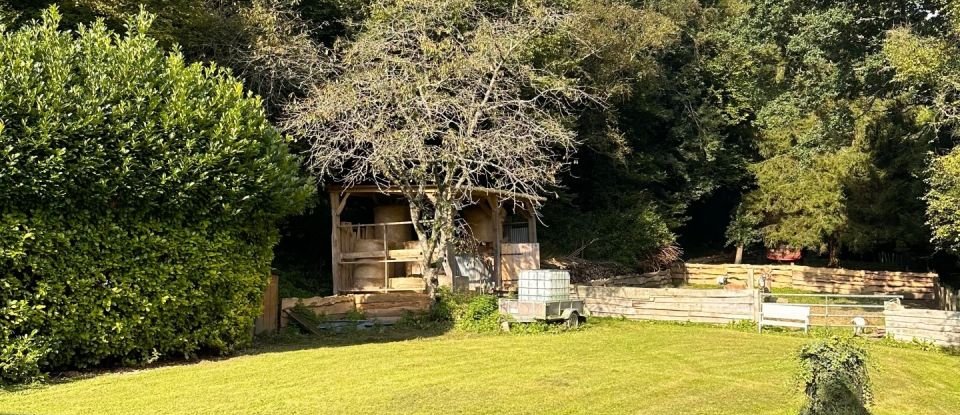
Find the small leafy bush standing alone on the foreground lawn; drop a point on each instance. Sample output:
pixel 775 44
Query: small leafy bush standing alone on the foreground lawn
pixel 833 374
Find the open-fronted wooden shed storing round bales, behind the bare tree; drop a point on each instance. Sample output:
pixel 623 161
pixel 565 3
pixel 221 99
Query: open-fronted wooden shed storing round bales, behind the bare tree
pixel 383 253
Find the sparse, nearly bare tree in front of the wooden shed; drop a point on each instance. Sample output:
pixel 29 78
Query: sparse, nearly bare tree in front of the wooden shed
pixel 440 97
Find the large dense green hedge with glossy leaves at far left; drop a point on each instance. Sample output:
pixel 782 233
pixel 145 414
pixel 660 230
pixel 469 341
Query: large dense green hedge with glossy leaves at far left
pixel 139 197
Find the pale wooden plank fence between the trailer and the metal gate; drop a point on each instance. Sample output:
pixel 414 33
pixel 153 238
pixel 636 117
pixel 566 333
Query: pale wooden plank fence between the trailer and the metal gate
pixel 675 304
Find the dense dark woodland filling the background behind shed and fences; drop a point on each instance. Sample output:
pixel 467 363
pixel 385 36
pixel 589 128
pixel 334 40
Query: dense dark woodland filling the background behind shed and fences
pixel 829 126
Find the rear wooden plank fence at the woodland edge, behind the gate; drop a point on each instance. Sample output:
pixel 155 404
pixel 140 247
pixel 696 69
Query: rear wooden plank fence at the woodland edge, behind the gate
pixel 911 285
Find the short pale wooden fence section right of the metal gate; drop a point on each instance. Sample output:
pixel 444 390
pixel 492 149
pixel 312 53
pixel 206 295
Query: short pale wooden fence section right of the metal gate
pixel 934 326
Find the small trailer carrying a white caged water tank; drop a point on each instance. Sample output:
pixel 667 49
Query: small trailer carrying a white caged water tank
pixel 543 295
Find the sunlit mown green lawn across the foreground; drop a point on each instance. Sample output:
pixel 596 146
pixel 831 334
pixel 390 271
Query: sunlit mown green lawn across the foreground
pixel 611 367
